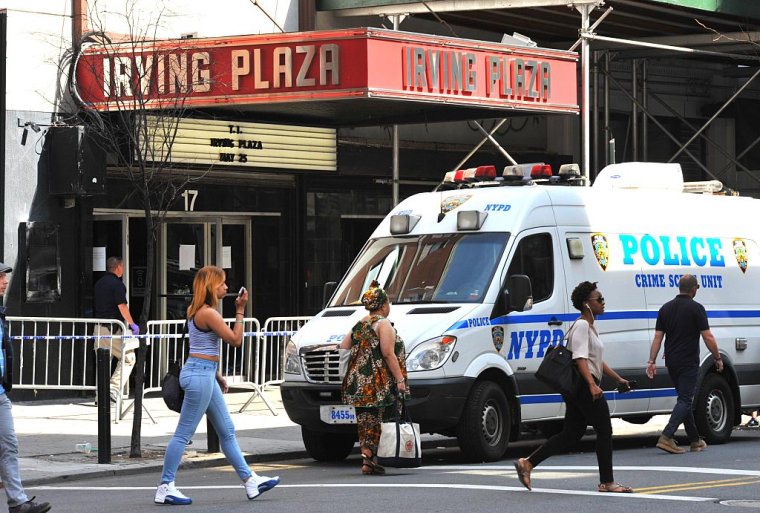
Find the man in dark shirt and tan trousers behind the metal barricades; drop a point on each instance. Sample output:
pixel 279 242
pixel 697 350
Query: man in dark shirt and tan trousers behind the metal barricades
pixel 111 303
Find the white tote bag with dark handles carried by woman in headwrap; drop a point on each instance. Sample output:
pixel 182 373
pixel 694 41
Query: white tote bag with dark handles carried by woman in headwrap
pixel 400 444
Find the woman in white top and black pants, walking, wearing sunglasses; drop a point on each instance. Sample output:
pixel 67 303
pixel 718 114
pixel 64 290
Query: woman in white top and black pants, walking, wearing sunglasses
pixel 586 405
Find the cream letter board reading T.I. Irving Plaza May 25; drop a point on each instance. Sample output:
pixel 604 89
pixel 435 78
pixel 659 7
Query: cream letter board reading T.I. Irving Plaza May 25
pixel 216 142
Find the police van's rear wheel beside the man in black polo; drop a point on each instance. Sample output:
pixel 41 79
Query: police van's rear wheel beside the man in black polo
pixel 714 409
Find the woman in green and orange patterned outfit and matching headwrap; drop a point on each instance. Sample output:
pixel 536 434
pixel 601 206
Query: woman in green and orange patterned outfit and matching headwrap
pixel 376 373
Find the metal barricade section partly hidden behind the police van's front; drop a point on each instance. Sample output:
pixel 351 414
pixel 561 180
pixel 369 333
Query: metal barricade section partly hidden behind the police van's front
pixel 270 353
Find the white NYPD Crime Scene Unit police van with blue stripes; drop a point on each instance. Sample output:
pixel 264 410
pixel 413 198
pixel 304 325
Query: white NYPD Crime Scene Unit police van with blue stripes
pixel 480 273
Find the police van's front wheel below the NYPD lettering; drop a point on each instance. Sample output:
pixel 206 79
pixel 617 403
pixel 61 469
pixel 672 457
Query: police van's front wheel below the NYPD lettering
pixel 483 430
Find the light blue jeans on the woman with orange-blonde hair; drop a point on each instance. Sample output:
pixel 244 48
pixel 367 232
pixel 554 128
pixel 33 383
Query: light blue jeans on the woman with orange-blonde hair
pixel 202 395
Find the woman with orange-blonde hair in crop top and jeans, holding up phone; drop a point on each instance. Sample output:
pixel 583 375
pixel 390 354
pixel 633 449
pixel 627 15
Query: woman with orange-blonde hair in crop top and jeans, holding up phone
pixel 203 385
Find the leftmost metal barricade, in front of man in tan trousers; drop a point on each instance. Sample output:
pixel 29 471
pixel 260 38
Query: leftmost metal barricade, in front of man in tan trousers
pixel 54 353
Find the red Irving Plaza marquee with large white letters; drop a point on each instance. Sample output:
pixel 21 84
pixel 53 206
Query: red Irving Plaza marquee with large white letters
pixel 327 65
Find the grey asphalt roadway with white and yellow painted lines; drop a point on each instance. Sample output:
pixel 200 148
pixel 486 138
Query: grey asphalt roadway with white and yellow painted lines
pixel 689 483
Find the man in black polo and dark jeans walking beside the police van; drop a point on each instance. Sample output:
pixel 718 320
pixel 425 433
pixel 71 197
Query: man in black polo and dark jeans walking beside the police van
pixel 681 321
